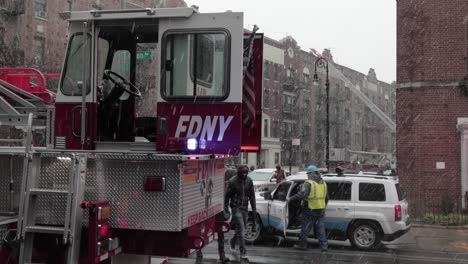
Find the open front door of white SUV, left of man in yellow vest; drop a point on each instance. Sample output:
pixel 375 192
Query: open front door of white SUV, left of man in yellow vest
pixel 277 207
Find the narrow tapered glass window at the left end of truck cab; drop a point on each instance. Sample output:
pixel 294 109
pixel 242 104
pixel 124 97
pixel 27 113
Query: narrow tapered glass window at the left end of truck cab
pixel 77 70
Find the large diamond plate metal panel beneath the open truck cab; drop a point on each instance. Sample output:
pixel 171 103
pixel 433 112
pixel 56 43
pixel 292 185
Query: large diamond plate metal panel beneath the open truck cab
pixel 121 183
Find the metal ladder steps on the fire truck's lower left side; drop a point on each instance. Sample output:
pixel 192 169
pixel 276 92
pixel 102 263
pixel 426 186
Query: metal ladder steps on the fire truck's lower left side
pixel 71 230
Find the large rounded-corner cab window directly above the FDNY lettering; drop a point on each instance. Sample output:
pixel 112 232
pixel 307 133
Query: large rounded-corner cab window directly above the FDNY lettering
pixel 195 65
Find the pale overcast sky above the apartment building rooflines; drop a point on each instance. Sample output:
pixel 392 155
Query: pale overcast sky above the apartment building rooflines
pixel 360 33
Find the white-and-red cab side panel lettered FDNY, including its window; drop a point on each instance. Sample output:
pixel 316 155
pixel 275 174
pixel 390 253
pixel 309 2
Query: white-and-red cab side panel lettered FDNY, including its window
pixel 201 84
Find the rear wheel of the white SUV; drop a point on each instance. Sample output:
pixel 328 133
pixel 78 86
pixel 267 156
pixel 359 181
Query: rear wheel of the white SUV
pixel 365 235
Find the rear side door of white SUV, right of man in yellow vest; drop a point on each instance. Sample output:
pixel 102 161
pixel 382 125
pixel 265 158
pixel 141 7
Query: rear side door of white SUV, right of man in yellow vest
pixel 340 208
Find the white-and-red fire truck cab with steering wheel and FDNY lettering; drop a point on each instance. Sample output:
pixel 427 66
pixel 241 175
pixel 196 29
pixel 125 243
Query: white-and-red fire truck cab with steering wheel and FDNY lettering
pixel 163 76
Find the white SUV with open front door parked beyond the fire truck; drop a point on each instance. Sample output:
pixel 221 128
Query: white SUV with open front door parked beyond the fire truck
pixel 364 208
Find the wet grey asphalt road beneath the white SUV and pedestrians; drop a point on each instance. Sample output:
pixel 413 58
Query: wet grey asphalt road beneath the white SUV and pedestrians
pixel 420 245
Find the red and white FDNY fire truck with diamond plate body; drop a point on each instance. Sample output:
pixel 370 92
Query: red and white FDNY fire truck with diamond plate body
pixel 150 104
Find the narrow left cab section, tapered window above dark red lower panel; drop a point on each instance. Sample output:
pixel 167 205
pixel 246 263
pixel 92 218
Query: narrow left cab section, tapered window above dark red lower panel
pixel 75 103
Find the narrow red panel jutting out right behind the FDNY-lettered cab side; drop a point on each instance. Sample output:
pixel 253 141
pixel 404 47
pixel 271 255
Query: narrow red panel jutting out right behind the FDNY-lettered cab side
pixel 252 92
